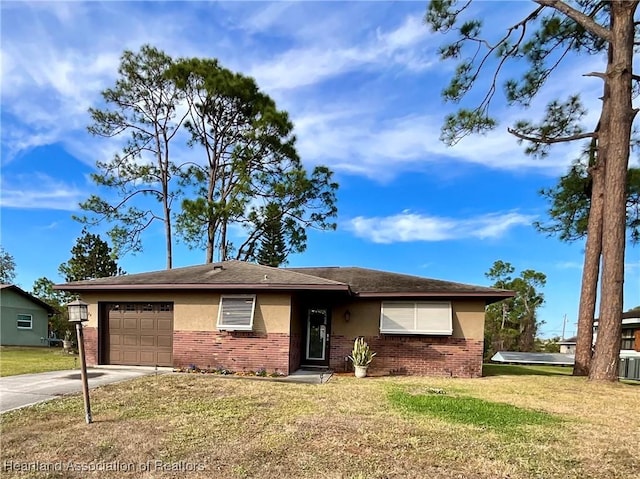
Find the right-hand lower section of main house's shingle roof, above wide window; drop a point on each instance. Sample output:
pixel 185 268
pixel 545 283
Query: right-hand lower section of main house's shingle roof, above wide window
pixel 370 282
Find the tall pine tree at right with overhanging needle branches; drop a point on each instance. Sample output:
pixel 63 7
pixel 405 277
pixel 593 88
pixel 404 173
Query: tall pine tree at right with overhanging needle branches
pixel 540 40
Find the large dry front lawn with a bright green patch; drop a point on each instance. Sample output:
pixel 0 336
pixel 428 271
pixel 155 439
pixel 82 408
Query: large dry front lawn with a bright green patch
pixel 520 426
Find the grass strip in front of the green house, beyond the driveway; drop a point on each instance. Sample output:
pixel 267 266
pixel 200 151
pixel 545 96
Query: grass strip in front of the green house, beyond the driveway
pixel 26 360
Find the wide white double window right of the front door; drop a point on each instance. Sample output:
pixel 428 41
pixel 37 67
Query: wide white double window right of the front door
pixel 399 317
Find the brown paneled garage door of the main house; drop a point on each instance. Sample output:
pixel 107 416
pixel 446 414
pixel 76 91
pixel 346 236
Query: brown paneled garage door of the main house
pixel 140 334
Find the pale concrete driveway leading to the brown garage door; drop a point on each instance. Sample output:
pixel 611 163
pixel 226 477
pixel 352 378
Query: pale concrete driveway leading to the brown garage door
pixel 27 389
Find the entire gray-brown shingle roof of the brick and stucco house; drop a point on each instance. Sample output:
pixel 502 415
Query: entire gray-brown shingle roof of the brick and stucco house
pixel 242 275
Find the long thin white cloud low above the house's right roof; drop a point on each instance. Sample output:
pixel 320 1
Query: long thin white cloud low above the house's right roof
pixel 408 227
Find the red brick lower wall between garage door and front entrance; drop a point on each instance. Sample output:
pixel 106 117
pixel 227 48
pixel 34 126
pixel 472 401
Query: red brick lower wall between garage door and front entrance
pixel 236 351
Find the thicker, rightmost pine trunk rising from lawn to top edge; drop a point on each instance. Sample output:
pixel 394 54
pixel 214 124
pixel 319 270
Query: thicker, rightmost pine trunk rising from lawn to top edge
pixel 604 366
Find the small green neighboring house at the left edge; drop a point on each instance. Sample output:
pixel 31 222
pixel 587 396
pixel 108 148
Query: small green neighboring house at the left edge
pixel 24 319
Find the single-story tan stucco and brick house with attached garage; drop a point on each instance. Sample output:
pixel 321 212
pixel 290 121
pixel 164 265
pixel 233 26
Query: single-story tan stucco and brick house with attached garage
pixel 243 316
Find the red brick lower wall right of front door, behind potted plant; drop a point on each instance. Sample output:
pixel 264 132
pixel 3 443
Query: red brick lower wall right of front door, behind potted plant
pixel 420 355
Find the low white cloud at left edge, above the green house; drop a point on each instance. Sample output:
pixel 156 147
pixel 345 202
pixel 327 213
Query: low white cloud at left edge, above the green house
pixel 40 191
